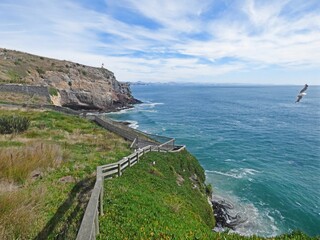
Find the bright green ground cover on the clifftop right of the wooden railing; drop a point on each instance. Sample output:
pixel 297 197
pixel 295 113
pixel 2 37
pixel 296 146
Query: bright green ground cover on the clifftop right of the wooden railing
pixel 146 202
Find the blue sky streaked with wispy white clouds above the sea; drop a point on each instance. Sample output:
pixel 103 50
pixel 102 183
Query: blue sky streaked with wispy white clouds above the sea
pixel 216 41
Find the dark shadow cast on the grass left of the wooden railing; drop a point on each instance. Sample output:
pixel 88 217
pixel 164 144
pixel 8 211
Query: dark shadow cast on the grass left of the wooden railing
pixel 65 223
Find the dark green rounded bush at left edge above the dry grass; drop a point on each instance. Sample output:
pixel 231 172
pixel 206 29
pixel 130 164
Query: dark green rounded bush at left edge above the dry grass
pixel 13 124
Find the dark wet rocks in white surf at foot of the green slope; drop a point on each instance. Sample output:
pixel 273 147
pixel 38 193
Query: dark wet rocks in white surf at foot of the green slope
pixel 222 216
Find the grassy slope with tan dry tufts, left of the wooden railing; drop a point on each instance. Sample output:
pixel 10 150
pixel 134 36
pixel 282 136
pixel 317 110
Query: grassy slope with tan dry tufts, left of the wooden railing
pixel 47 172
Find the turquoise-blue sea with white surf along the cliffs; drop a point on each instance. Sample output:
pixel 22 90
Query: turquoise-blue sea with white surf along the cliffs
pixel 260 150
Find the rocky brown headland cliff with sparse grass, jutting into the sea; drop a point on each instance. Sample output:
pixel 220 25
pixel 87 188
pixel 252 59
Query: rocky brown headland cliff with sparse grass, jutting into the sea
pixel 79 86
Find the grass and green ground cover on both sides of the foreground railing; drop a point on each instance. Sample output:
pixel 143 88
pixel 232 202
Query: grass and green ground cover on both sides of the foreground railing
pixel 48 170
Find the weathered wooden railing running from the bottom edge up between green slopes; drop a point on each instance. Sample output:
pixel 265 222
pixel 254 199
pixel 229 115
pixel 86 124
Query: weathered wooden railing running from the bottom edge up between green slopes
pixel 90 223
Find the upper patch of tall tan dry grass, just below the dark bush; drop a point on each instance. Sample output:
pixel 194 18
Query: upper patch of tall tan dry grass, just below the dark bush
pixel 17 163
